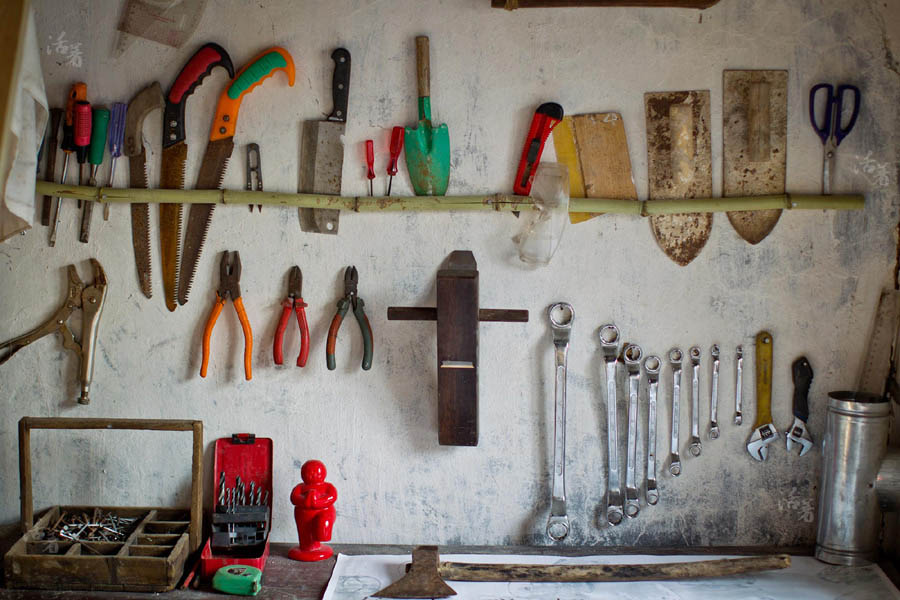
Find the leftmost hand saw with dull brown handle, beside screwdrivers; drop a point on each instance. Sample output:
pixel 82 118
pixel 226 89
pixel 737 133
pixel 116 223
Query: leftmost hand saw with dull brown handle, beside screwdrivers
pixel 148 99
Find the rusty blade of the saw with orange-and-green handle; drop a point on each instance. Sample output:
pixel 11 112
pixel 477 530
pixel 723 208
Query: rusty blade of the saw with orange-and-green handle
pixel 212 171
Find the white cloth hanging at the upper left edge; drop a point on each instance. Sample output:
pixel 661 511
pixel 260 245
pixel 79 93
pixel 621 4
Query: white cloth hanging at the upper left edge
pixel 25 129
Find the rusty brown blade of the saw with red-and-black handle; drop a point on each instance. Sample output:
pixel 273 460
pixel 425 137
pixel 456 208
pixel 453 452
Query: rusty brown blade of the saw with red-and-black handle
pixel 171 177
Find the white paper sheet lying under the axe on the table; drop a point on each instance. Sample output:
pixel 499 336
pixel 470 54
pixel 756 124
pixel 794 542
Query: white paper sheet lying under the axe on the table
pixel 356 577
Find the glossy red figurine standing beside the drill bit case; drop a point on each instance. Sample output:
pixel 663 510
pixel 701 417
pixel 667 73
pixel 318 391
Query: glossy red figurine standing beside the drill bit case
pixel 314 513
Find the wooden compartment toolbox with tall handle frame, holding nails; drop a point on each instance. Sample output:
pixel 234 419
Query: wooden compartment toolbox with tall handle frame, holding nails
pixel 152 557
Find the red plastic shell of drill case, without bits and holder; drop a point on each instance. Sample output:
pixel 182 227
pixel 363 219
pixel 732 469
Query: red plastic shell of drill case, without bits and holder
pixel 250 457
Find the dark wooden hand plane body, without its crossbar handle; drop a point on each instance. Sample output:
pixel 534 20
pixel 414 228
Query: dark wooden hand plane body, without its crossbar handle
pixel 457 343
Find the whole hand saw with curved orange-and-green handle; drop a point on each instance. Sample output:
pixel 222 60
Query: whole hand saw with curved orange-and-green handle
pixel 218 151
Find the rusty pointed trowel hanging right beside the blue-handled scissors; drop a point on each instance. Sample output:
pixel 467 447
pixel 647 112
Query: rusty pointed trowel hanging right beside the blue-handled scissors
pixel 754 109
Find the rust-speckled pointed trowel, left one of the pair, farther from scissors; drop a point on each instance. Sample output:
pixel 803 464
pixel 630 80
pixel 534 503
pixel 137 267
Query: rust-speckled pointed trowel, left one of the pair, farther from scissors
pixel 679 166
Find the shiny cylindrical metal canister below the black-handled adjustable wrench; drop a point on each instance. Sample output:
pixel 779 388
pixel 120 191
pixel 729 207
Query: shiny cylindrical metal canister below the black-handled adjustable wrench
pixel 855 442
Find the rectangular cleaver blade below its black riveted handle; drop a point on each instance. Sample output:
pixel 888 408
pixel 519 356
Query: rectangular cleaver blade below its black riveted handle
pixel 321 168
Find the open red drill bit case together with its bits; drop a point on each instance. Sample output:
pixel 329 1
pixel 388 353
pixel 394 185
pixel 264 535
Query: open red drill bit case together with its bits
pixel 242 504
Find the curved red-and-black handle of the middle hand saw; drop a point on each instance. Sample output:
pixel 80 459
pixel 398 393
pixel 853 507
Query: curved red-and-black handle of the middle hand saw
pixel 201 64
